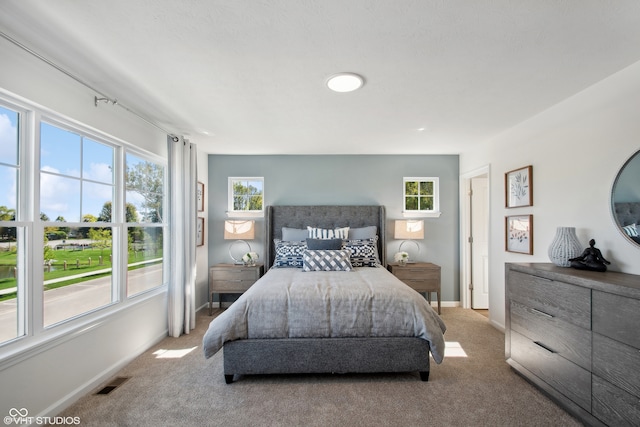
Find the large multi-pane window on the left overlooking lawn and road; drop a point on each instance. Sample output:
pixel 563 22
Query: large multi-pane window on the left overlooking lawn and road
pixel 81 222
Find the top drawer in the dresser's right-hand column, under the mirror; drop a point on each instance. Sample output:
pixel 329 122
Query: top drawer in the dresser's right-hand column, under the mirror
pixel 617 317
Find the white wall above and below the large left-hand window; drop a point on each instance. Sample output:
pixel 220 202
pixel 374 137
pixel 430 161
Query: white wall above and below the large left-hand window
pixel 46 379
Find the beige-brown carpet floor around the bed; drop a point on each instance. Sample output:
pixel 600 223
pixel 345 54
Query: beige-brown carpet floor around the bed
pixel 173 384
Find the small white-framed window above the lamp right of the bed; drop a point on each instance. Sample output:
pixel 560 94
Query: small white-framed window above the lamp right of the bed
pixel 421 196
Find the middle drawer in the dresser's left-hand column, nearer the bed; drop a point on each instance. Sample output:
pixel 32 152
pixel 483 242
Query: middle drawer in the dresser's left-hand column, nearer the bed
pixel 565 339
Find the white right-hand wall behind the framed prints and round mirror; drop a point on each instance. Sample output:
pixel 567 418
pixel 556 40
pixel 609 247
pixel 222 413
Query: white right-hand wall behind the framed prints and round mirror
pixel 576 149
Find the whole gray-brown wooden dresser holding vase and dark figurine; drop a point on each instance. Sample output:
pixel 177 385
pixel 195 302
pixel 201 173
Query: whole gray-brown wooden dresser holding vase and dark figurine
pixel 576 335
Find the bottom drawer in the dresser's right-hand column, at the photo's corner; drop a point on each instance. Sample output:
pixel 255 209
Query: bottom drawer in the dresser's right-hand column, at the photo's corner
pixel 613 406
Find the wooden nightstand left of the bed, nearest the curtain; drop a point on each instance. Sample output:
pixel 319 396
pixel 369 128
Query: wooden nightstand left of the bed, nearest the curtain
pixel 231 279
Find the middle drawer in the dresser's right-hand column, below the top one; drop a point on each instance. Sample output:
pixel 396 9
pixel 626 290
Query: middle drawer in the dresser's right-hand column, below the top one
pixel 617 363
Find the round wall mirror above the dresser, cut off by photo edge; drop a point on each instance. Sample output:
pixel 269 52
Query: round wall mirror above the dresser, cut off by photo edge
pixel 625 199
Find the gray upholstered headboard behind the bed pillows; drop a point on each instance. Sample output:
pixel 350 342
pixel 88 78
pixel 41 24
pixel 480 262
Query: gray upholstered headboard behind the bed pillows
pixel 277 217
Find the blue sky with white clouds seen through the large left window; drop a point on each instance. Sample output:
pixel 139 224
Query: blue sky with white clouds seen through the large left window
pixel 76 172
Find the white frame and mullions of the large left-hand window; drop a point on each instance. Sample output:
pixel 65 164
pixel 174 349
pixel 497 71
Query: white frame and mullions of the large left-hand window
pixel 32 336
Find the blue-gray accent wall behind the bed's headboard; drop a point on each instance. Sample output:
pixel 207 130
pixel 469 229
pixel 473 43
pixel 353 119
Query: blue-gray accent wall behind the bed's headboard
pixel 344 180
